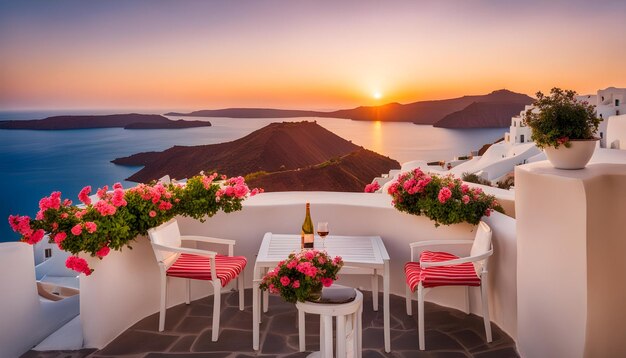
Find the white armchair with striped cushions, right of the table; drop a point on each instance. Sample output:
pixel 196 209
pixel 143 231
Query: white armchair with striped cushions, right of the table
pixel 436 269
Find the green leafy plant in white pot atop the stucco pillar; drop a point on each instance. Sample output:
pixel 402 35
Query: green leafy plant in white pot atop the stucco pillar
pixel 564 128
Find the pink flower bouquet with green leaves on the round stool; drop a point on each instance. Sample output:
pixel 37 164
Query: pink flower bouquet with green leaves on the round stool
pixel 302 273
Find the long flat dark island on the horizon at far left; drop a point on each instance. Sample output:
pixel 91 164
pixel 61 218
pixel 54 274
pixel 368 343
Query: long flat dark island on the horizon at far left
pixel 126 121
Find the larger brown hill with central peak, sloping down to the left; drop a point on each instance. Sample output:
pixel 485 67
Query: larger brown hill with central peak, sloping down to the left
pixel 276 147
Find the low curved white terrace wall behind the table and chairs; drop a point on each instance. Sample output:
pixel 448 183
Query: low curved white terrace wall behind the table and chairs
pixel 124 287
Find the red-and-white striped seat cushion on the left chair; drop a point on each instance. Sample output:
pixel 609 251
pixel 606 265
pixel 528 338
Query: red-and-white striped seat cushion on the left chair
pixel 199 267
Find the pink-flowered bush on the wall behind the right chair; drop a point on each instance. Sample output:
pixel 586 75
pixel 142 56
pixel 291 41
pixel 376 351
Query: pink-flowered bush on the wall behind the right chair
pixel 445 200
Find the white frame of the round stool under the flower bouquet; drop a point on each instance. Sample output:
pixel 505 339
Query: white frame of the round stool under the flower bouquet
pixel 349 342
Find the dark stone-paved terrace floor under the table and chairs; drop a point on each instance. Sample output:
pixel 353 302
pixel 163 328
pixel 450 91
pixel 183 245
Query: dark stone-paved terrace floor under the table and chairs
pixel 449 333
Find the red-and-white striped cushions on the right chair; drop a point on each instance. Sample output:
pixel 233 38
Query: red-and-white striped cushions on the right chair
pixel 457 275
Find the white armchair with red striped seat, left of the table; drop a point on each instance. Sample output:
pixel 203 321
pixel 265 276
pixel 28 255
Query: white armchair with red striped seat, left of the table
pixel 188 263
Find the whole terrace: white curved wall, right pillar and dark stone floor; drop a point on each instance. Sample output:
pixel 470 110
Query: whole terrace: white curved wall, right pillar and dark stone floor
pixel 540 305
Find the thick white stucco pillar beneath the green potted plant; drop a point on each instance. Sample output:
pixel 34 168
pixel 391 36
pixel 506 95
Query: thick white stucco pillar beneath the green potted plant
pixel 570 245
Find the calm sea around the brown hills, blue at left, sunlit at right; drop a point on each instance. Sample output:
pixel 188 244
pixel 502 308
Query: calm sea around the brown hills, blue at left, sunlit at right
pixel 35 163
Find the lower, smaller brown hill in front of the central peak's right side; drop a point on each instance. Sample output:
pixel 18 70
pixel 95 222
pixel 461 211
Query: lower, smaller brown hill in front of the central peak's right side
pixel 349 173
